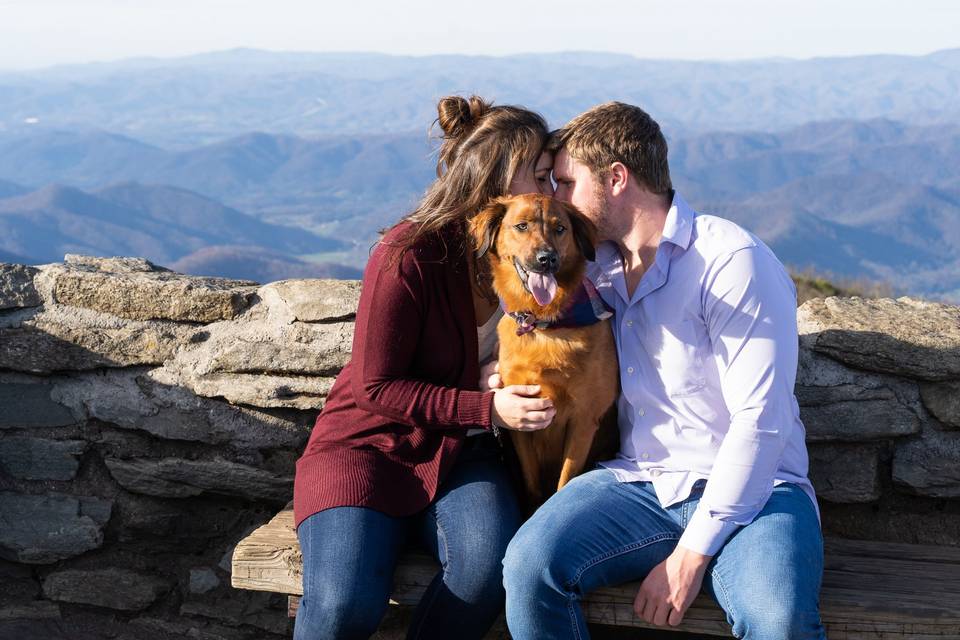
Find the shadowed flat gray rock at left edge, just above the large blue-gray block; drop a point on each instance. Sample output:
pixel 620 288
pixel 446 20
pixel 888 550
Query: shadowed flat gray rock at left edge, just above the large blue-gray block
pixel 39 459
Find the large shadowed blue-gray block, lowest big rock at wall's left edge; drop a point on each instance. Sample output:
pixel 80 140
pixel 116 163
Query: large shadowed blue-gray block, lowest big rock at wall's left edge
pixel 45 529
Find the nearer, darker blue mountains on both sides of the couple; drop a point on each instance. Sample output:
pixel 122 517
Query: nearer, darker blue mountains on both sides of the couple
pixel 859 199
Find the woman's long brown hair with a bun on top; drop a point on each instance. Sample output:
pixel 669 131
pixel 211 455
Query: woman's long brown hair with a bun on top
pixel 484 146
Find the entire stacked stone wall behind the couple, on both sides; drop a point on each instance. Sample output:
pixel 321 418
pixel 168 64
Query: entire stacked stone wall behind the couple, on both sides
pixel 149 420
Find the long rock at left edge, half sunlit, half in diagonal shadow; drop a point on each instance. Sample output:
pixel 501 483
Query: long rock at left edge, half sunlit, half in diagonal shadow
pixel 58 337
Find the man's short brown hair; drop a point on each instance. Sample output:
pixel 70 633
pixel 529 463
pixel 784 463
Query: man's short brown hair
pixel 617 132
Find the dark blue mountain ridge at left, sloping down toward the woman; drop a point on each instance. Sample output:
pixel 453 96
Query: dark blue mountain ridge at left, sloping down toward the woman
pixel 159 223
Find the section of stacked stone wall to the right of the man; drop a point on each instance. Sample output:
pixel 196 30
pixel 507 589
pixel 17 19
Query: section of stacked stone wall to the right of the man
pixel 879 391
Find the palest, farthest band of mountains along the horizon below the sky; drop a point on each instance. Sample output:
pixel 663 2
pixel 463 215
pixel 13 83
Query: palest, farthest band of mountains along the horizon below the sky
pixel 182 102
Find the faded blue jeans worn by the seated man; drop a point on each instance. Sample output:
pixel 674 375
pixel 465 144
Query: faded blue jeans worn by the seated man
pixel 598 532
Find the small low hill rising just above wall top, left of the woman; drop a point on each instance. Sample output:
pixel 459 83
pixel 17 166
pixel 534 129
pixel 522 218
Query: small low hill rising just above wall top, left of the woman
pixel 258 264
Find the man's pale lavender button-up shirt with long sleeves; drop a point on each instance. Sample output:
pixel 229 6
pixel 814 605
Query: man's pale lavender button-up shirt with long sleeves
pixel 708 360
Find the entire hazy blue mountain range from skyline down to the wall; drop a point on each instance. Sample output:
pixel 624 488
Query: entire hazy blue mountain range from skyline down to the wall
pixel 759 142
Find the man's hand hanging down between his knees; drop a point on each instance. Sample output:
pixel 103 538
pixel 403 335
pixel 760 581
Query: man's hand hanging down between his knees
pixel 668 590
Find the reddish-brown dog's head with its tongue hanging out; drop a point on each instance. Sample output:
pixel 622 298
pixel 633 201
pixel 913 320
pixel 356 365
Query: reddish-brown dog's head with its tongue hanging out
pixel 537 247
